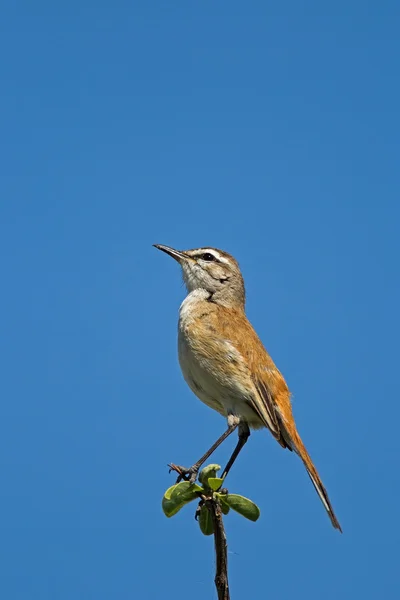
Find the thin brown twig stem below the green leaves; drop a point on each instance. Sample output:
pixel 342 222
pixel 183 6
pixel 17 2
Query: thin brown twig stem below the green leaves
pixel 221 550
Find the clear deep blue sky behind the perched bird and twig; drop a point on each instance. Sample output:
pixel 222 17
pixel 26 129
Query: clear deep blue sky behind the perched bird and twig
pixel 270 130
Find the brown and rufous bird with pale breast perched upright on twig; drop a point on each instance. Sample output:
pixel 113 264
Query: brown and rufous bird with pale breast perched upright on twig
pixel 225 364
